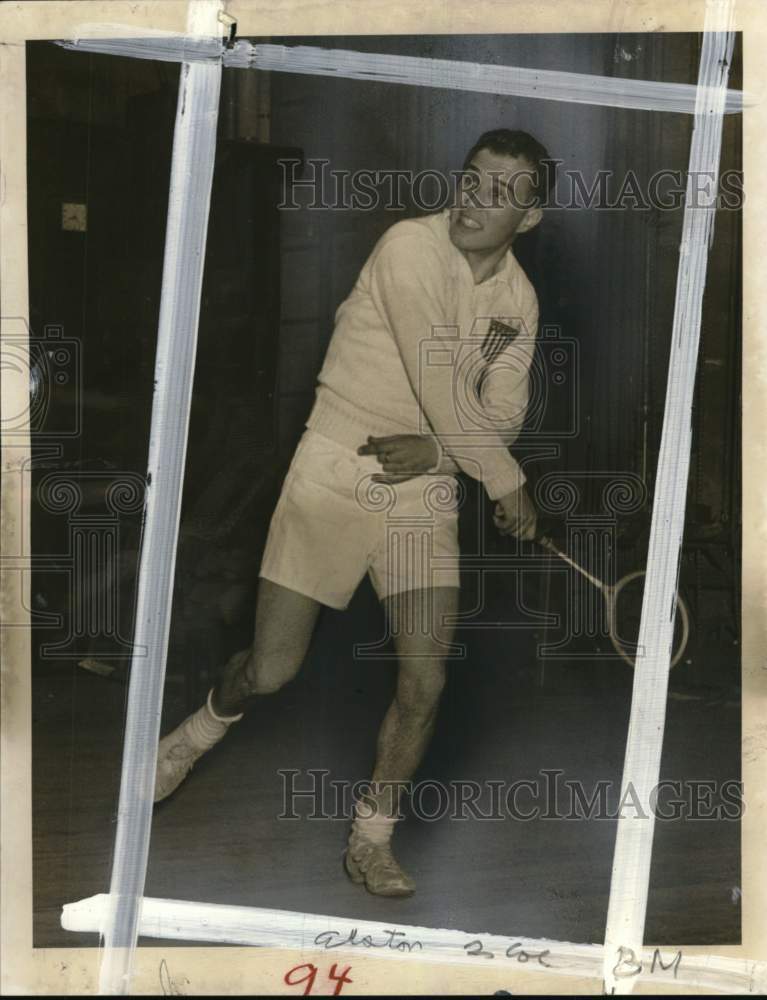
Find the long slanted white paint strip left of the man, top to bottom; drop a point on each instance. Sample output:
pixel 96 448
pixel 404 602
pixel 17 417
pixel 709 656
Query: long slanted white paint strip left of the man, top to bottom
pixel 194 148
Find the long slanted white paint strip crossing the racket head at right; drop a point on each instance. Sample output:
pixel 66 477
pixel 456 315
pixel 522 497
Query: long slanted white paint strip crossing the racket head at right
pixel 629 885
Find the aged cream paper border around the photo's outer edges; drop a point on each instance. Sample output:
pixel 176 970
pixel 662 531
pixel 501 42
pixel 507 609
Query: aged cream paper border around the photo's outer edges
pixel 19 21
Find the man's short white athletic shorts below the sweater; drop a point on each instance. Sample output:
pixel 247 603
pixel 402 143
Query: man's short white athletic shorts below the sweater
pixel 333 524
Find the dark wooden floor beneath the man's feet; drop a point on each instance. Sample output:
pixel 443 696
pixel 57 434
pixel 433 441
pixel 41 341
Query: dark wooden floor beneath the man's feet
pixel 218 838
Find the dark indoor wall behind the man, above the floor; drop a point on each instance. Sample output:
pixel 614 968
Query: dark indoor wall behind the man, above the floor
pixel 100 135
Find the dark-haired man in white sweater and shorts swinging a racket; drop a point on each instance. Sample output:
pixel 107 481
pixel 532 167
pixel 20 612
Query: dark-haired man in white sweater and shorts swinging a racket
pixel 426 374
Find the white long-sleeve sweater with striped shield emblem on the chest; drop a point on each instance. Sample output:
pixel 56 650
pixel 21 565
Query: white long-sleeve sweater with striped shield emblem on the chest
pixel 411 353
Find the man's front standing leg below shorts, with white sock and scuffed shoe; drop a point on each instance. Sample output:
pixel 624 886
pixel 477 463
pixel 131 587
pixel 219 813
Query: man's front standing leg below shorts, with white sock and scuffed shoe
pixel 421 637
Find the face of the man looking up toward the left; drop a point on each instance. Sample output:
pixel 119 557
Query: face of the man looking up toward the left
pixel 491 204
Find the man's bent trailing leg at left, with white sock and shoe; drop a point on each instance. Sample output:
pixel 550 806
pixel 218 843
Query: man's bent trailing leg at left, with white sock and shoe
pixel 285 622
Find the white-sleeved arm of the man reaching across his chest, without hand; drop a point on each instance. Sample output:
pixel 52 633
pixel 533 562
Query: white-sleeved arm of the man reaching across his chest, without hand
pixel 409 287
